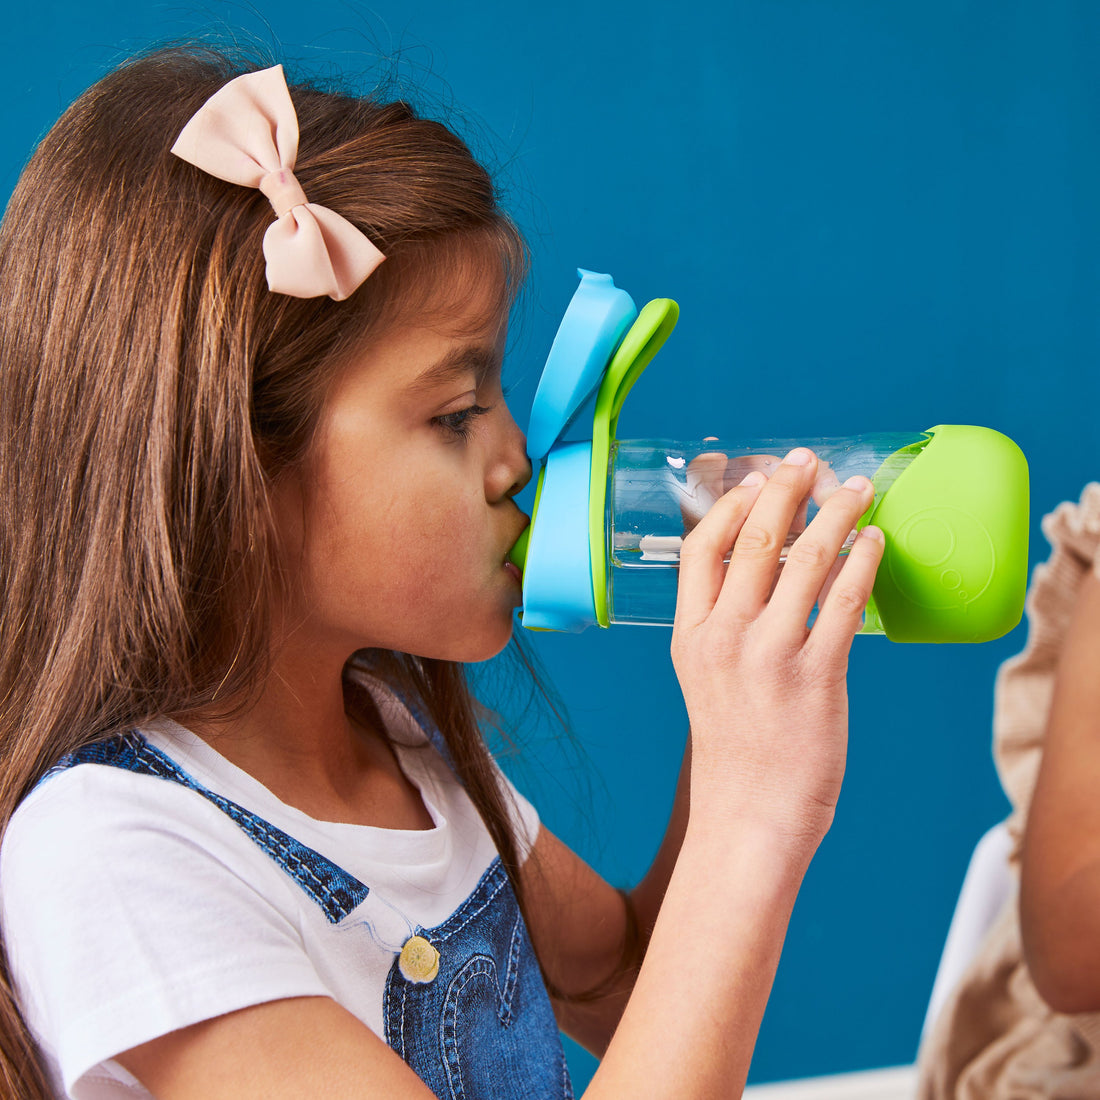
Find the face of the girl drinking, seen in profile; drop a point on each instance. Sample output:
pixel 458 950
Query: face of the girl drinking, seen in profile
pixel 404 514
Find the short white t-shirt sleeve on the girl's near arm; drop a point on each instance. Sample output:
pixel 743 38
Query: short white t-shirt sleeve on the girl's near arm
pixel 129 914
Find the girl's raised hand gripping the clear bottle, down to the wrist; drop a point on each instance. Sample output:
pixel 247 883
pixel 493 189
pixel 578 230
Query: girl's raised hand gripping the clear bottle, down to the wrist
pixel 767 696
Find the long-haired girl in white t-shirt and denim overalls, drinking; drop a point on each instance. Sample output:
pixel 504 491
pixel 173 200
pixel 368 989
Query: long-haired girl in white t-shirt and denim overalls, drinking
pixel 259 493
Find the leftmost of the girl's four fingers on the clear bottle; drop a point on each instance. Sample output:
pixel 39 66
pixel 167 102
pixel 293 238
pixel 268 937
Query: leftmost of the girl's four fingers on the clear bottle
pixel 705 551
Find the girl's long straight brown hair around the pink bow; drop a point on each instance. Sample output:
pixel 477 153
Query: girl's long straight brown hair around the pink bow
pixel 152 389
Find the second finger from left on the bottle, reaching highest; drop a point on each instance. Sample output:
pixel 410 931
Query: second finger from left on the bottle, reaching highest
pixel 763 537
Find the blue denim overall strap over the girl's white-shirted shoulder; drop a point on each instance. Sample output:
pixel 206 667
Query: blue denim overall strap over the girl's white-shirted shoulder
pixel 331 887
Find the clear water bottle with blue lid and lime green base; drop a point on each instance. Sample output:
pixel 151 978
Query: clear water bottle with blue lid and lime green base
pixel 611 515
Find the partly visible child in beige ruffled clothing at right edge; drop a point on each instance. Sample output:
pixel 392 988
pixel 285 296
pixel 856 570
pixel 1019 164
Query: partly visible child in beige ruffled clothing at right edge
pixel 1025 1021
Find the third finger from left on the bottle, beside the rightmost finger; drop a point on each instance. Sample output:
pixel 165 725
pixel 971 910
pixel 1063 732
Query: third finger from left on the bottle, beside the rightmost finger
pixel 815 554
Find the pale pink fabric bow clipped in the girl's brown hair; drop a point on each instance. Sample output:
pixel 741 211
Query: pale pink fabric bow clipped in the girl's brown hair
pixel 247 134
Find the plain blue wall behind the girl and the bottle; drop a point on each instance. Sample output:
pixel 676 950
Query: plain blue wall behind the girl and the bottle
pixel 875 216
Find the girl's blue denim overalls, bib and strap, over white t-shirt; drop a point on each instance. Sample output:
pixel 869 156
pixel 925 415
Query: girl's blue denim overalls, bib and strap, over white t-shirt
pixel 482 1027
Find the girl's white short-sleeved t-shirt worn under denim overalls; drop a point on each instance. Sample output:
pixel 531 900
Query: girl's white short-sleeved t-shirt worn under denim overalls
pixel 134 907
